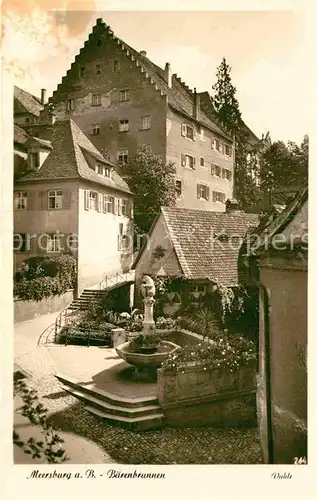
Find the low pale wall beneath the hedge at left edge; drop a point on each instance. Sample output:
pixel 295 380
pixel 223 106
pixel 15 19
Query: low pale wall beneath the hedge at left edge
pixel 30 309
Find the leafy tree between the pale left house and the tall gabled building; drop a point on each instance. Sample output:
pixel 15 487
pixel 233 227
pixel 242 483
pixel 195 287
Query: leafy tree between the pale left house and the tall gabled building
pixel 153 183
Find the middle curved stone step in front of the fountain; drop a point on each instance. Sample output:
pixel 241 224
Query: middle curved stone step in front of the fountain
pixel 111 409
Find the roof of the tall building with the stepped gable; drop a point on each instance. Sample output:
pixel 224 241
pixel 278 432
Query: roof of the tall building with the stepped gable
pixel 179 96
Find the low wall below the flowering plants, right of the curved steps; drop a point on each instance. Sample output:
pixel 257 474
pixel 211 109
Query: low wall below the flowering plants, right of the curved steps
pixel 208 397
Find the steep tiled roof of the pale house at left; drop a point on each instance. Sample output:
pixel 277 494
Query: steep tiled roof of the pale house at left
pixel 67 159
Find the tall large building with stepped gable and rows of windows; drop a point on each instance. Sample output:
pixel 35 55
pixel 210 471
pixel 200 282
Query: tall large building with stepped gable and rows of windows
pixel 121 100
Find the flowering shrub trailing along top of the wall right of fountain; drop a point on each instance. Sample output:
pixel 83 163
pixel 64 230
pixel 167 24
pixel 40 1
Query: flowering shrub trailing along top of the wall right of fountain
pixel 223 353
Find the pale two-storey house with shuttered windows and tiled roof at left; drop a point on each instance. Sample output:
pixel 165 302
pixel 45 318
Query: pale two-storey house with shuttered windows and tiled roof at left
pixel 72 200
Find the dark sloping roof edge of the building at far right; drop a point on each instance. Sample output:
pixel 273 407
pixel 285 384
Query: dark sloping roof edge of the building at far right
pixel 275 224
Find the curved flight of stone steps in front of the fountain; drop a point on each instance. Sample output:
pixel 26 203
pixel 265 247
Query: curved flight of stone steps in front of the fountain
pixel 137 414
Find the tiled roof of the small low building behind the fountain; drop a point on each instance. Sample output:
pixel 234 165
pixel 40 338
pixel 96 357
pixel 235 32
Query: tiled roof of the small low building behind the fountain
pixel 207 243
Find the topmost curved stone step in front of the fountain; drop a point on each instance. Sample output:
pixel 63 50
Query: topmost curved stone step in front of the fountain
pixel 113 399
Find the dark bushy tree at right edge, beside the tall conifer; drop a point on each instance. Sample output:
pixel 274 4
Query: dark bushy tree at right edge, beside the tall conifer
pixel 285 165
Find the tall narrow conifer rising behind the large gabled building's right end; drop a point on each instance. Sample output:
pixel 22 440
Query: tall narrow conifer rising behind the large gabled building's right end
pixel 229 116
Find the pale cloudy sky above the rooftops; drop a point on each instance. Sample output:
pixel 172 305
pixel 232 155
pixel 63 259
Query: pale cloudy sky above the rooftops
pixel 265 49
